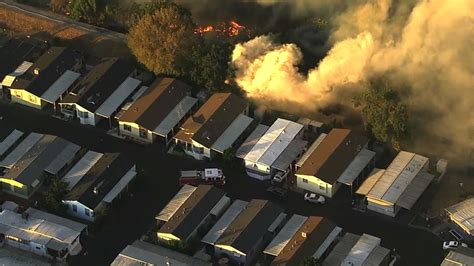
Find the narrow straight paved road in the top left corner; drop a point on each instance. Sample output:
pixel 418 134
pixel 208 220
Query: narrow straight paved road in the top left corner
pixel 60 19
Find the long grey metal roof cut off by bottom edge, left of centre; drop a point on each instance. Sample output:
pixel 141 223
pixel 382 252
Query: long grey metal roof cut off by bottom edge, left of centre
pixel 142 253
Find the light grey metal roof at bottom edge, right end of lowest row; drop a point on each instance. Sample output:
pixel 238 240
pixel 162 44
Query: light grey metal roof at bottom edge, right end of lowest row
pixel 361 250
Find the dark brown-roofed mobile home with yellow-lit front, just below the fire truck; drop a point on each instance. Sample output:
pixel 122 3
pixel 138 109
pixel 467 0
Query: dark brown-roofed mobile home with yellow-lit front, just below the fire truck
pixel 200 209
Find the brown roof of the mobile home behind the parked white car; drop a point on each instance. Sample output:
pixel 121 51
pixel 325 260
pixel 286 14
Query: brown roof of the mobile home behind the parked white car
pixel 329 160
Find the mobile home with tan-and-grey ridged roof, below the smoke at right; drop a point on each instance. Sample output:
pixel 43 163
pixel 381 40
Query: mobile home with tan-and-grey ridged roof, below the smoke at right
pixel 399 186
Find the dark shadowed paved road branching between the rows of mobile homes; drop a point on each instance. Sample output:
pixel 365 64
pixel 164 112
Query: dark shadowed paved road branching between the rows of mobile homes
pixel 133 216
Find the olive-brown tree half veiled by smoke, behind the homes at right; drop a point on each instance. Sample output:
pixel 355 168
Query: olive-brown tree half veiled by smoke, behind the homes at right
pixel 385 116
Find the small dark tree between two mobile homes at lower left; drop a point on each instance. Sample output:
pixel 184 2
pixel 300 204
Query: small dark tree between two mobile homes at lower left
pixel 52 198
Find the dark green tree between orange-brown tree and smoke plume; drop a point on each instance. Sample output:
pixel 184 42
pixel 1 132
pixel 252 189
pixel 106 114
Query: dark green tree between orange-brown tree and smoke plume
pixel 210 65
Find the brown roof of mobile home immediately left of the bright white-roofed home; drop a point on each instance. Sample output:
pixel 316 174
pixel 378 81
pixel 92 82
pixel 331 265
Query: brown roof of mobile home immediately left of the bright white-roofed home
pixel 212 119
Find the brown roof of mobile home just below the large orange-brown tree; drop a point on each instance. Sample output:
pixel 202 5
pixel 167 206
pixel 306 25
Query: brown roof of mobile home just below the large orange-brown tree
pixel 156 103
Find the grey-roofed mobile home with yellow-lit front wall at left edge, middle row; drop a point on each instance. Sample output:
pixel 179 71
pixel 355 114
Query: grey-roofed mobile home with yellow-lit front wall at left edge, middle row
pixel 26 166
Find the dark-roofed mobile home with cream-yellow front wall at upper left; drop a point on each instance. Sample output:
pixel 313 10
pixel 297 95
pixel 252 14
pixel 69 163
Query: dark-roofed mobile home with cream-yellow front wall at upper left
pixel 48 79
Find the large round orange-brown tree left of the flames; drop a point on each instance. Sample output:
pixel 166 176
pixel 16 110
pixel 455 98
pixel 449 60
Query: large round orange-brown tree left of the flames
pixel 162 40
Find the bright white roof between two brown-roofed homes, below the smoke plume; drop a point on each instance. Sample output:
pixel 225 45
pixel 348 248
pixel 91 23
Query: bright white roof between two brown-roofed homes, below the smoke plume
pixel 273 142
